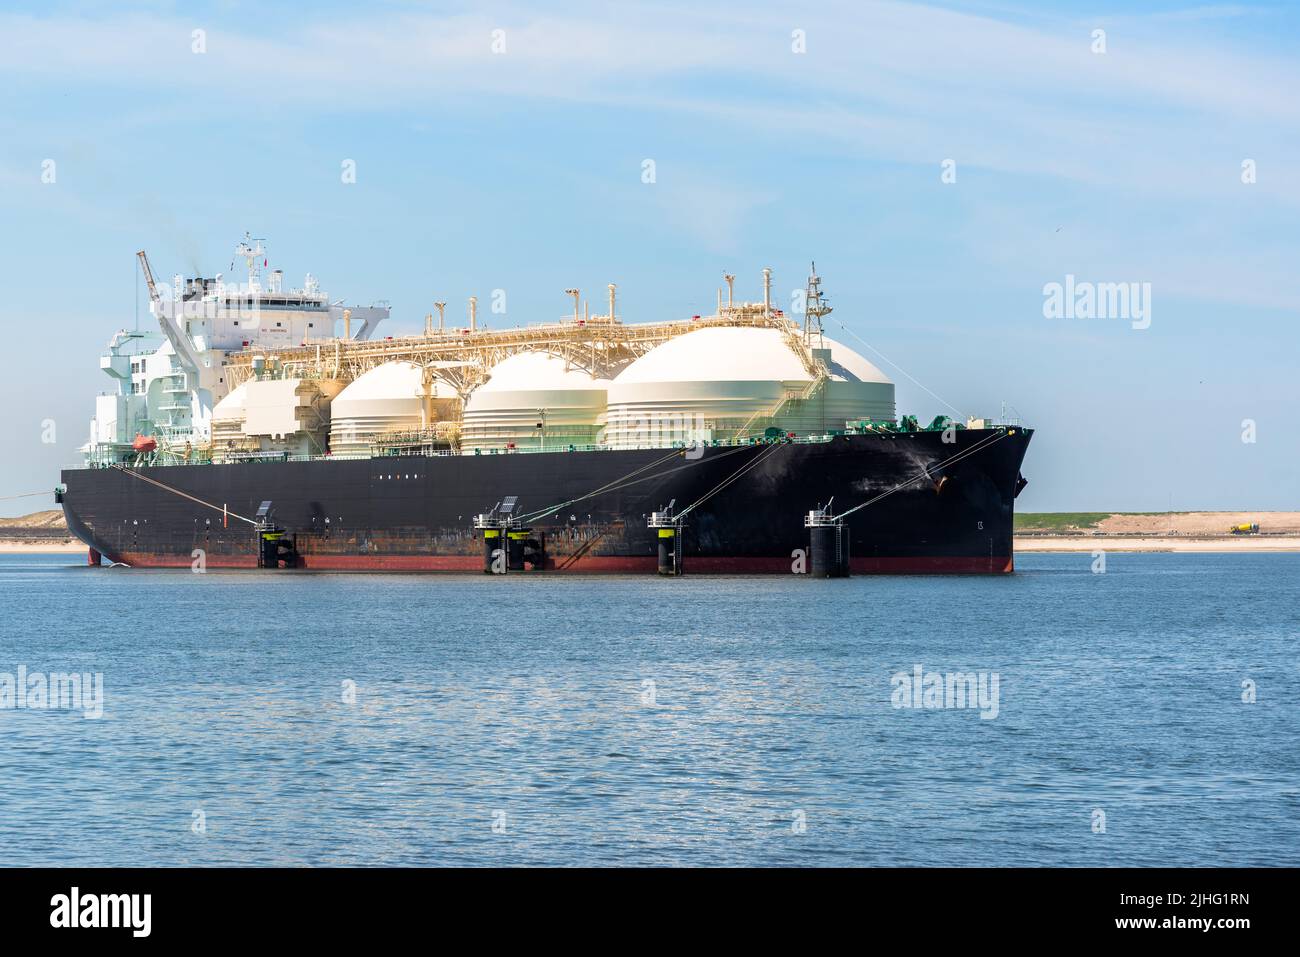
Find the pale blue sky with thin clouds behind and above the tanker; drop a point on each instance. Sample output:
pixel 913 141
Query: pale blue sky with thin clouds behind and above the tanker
pixel 523 171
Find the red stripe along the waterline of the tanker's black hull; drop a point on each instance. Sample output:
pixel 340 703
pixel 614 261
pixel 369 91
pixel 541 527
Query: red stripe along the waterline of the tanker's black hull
pixel 935 565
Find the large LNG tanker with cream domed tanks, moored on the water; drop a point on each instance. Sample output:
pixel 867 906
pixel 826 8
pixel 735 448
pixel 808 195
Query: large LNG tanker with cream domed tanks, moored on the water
pixel 272 428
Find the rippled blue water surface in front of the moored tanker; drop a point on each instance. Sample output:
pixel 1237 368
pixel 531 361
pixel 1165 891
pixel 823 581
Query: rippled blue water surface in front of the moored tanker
pixel 657 722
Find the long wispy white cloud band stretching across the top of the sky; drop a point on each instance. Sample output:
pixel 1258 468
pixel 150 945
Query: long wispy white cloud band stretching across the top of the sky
pixel 899 81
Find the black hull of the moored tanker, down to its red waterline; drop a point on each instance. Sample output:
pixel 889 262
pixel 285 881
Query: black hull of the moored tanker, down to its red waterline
pixel 942 508
